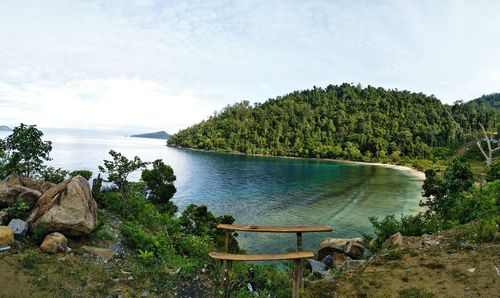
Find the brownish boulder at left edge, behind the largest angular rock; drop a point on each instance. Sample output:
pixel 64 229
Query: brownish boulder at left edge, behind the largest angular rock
pixel 26 189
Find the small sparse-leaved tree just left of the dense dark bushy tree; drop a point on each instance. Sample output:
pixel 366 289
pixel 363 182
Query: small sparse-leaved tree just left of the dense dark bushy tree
pixel 119 168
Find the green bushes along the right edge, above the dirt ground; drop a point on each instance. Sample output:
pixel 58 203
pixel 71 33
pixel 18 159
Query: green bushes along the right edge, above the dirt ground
pixel 452 201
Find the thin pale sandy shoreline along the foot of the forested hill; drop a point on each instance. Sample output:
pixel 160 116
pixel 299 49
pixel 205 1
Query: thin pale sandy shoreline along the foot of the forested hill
pixel 414 172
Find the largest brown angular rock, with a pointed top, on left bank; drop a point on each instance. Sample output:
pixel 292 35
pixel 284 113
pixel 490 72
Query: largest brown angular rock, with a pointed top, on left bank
pixel 67 208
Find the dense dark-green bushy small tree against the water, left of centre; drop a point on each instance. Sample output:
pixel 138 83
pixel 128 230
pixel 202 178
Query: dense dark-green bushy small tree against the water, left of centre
pixel 160 184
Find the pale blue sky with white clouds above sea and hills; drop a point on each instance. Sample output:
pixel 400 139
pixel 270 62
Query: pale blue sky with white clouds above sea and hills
pixel 165 65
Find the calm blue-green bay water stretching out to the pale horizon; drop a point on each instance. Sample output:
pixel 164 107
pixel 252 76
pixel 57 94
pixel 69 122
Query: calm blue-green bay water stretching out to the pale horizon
pixel 258 190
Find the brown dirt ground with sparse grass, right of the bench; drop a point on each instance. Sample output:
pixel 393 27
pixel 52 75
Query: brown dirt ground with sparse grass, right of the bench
pixel 435 270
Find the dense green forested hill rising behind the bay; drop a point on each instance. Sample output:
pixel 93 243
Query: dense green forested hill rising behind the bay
pixel 343 121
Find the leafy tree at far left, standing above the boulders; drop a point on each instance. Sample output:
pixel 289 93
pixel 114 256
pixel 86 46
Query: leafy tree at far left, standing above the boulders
pixel 26 150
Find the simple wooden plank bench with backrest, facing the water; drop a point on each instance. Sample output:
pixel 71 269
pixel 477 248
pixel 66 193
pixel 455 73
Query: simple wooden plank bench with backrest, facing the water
pixel 297 256
